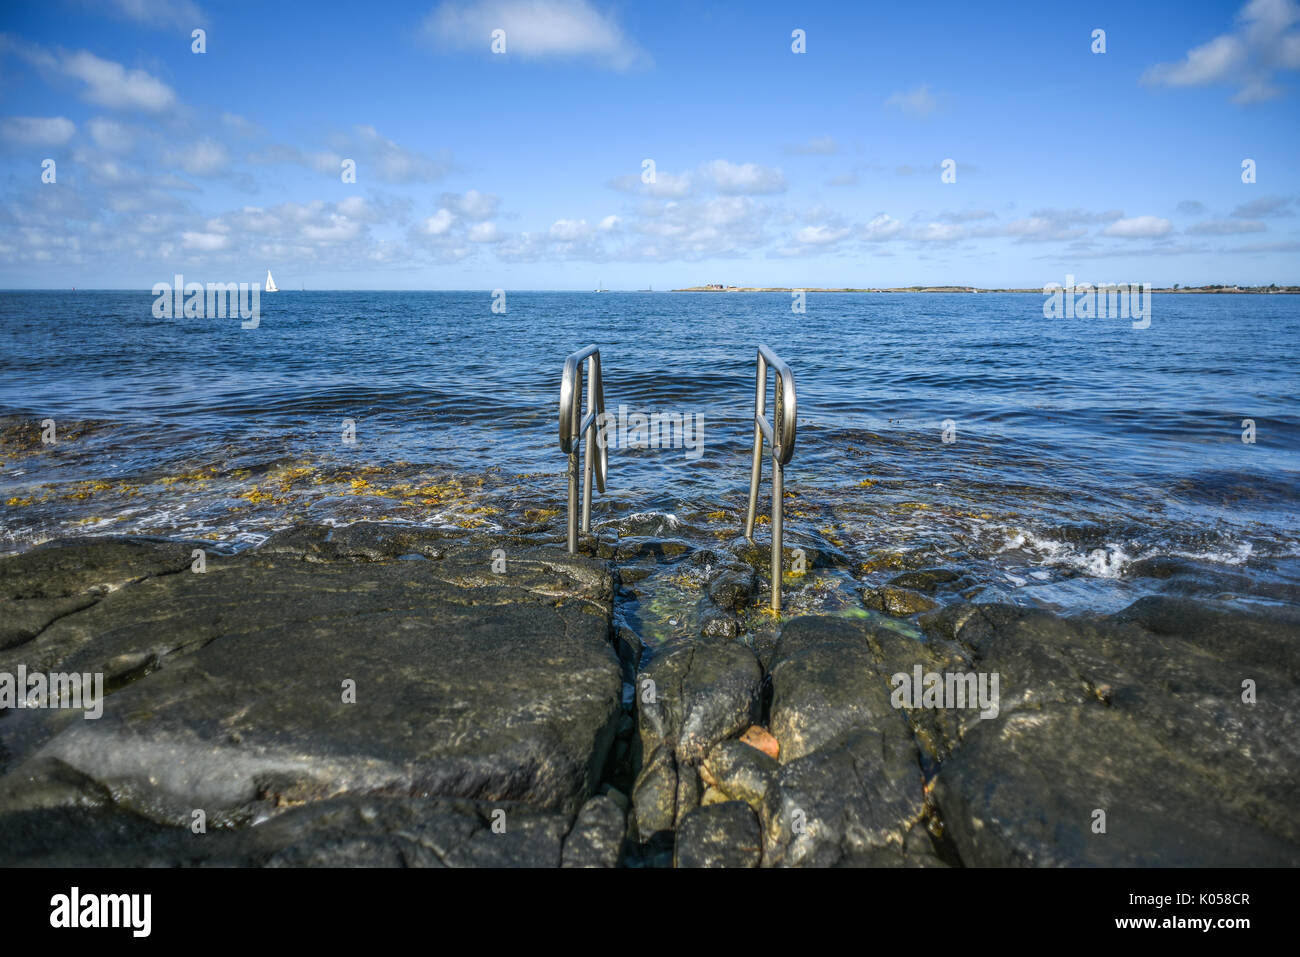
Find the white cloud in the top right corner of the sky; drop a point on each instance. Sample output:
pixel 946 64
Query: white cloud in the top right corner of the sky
pixel 1263 45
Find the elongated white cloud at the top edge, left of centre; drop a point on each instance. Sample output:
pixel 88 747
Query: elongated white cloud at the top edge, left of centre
pixel 538 29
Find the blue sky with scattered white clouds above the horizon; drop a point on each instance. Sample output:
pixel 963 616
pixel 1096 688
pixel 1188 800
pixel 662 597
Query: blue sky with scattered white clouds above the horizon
pixel 525 170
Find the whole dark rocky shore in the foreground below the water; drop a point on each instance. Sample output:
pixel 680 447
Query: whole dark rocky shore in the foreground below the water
pixel 383 695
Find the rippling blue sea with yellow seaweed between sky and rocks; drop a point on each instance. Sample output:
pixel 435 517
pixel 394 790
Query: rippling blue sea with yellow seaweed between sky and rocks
pixel 1082 447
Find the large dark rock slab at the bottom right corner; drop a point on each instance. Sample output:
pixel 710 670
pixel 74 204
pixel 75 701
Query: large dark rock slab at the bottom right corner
pixel 1139 716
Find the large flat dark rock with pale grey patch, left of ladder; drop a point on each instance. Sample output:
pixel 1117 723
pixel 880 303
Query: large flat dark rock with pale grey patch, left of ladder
pixel 500 688
